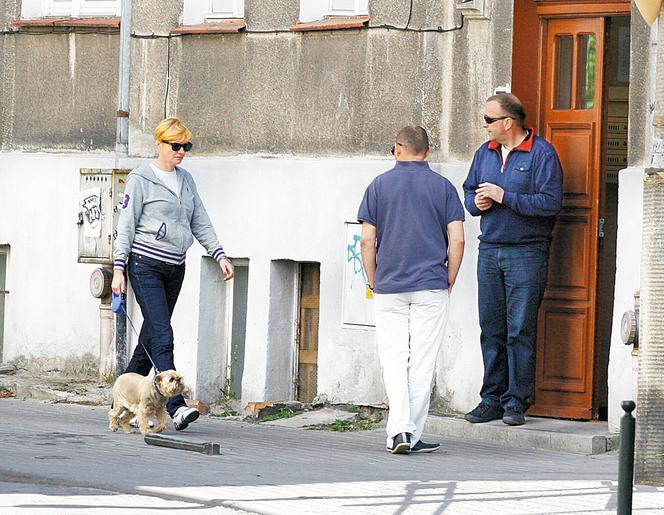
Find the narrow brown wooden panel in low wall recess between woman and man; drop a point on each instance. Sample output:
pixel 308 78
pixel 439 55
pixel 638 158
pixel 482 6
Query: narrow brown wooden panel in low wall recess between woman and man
pixel 307 352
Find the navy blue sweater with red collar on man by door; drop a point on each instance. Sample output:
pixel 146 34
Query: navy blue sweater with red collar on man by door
pixel 533 182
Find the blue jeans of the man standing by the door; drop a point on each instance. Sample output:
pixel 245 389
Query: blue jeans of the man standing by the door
pixel 511 281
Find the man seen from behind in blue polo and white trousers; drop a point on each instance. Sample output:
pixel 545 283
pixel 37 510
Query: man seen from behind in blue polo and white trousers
pixel 408 215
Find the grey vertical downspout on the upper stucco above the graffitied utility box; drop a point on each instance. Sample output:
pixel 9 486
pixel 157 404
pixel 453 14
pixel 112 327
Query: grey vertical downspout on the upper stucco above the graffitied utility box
pixel 124 75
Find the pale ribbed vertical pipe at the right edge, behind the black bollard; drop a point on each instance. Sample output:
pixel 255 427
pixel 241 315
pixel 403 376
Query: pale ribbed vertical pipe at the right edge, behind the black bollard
pixel 649 463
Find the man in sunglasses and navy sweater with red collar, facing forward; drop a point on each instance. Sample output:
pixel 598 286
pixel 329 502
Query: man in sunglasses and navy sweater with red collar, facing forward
pixel 515 184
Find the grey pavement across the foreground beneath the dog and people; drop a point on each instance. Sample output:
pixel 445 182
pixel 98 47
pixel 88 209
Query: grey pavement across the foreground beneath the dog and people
pixel 268 469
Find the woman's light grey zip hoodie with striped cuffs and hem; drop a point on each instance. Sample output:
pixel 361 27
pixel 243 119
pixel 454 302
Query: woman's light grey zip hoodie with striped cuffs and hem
pixel 156 223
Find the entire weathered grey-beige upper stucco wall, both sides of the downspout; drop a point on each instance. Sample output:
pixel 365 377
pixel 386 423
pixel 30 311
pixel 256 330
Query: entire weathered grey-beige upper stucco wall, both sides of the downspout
pixel 332 93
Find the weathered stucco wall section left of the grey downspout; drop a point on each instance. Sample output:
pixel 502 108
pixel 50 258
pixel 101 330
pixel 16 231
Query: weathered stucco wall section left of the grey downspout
pixel 58 90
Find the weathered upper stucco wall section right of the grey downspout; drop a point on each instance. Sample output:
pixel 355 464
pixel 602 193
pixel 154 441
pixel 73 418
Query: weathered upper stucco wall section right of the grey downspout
pixel 331 93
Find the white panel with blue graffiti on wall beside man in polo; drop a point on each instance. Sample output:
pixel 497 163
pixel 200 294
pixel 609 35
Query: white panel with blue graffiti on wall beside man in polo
pixel 358 299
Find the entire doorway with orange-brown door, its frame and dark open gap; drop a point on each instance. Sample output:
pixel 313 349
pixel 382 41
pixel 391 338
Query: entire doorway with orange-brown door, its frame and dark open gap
pixel 577 98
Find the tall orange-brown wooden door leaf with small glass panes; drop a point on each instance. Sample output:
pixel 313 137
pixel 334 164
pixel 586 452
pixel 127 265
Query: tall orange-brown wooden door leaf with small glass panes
pixel 573 54
